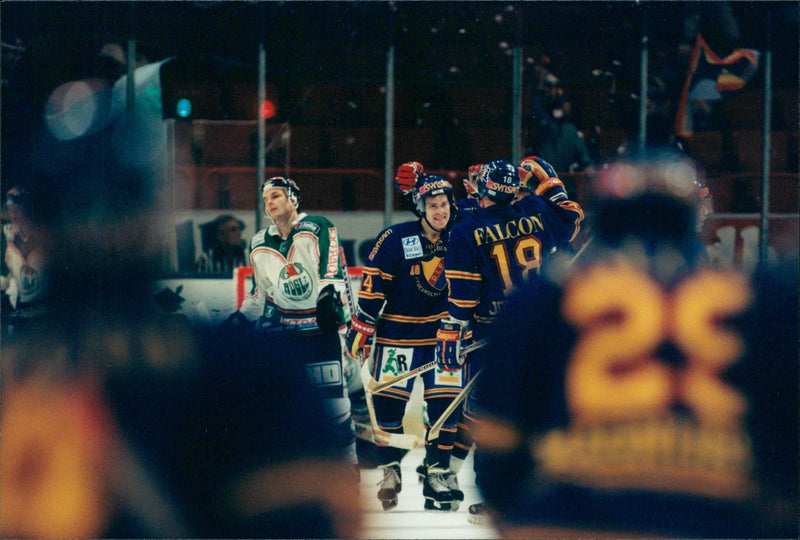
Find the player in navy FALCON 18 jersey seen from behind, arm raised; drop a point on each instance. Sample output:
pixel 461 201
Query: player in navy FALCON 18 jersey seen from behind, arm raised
pixel 494 251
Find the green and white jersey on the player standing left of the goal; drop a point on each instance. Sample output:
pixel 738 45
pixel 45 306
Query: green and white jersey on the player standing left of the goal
pixel 290 273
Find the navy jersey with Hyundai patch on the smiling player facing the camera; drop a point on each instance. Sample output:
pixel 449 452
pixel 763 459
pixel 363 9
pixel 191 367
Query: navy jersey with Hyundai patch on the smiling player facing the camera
pixel 403 282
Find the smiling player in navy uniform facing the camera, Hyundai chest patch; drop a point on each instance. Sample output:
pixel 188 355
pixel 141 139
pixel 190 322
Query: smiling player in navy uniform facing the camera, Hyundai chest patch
pixel 402 297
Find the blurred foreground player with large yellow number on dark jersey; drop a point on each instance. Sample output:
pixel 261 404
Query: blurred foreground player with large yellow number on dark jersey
pixel 644 393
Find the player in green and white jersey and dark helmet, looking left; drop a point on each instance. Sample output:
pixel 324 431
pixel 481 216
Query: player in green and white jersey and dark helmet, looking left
pixel 296 295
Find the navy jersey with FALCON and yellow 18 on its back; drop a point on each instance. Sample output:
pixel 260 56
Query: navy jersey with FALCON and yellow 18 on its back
pixel 496 249
